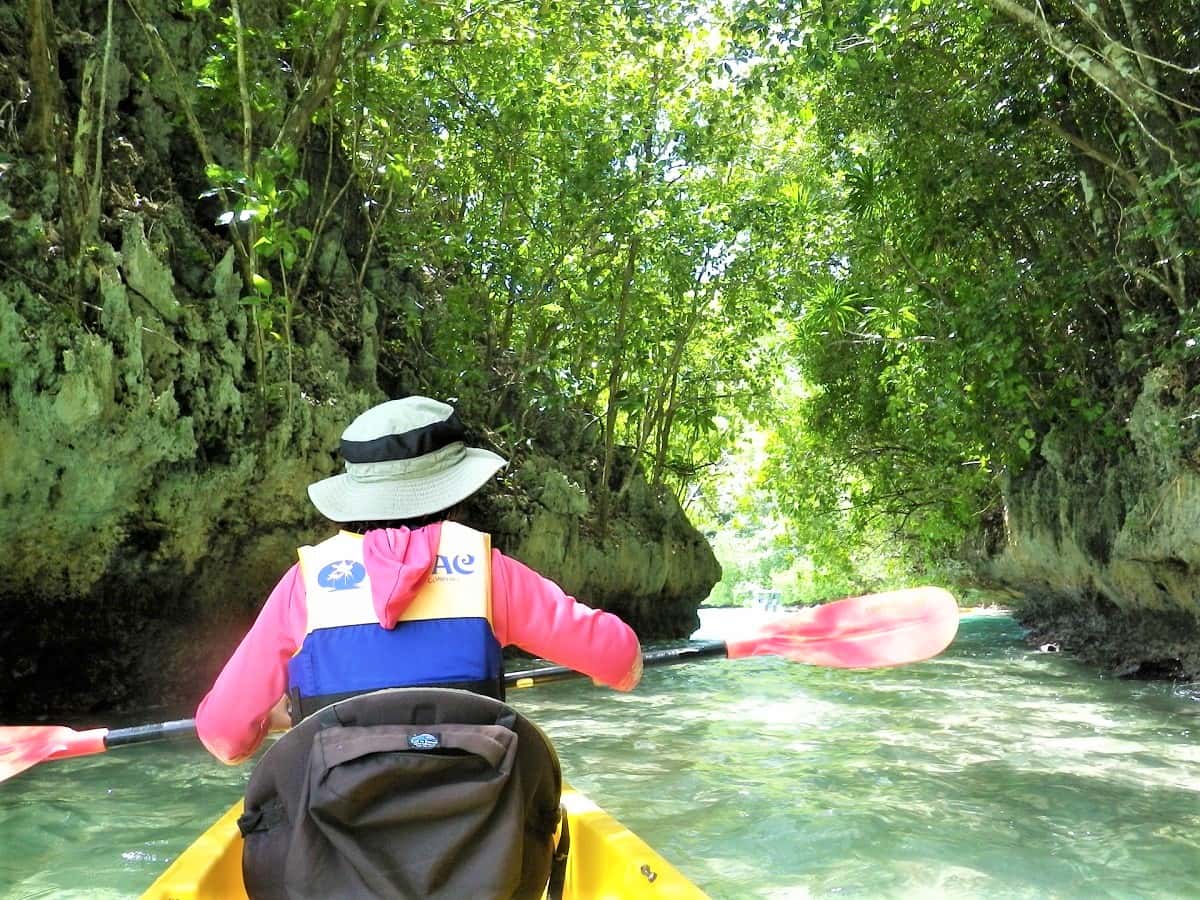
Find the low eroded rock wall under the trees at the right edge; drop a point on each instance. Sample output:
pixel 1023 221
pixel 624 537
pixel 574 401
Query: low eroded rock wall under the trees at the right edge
pixel 1109 557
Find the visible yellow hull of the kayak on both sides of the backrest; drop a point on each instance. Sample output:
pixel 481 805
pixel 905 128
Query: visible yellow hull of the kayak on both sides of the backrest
pixel 607 861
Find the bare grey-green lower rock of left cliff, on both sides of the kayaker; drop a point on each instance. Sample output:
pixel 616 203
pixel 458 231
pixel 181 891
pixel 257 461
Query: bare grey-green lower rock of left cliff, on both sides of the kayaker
pixel 153 491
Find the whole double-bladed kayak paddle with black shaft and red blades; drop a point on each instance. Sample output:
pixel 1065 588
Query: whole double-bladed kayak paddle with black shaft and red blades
pixel 869 632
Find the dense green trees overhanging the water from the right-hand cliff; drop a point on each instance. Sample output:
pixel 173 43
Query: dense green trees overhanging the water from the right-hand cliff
pixel 970 287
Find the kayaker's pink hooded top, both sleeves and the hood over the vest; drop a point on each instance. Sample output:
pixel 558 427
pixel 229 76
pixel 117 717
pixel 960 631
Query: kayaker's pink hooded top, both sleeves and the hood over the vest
pixel 529 611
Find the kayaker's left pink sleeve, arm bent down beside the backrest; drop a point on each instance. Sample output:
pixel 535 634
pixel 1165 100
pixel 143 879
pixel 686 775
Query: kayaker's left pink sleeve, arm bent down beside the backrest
pixel 232 718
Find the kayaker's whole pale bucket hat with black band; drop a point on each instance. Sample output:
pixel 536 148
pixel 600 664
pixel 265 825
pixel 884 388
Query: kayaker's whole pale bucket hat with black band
pixel 404 459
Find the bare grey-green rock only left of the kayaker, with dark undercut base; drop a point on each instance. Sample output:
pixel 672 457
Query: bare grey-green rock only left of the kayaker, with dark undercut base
pixel 143 495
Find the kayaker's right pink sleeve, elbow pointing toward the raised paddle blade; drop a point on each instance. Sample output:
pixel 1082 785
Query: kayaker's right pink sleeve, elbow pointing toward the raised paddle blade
pixel 537 616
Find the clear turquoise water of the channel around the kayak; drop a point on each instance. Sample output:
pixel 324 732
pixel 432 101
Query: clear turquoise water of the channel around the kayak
pixel 991 772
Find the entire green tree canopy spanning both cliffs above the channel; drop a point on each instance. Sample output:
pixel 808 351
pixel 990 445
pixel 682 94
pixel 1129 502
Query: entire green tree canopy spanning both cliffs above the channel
pixel 905 242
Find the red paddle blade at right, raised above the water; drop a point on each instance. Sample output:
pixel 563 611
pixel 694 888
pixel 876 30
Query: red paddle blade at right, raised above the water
pixel 871 632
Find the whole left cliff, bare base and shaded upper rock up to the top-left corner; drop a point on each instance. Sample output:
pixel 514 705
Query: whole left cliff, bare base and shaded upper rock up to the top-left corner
pixel 155 443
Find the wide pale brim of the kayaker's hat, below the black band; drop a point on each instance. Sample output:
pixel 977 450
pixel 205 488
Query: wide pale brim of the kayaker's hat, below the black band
pixel 343 500
